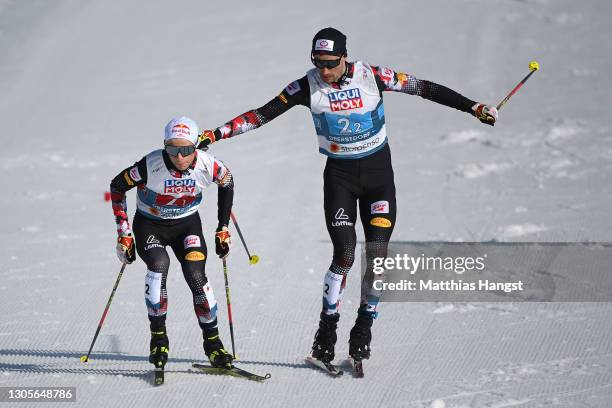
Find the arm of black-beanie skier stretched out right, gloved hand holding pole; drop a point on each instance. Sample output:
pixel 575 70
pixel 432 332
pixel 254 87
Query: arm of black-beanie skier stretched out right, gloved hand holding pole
pixel 390 80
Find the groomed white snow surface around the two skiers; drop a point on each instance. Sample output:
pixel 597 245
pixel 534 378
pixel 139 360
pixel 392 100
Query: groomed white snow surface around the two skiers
pixel 86 88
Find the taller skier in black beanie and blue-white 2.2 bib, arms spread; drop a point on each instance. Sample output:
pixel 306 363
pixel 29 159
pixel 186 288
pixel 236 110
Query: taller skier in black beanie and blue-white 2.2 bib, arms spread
pixel 345 100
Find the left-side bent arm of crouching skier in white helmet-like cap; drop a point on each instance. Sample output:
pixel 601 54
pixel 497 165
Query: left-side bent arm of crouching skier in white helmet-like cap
pixel 124 181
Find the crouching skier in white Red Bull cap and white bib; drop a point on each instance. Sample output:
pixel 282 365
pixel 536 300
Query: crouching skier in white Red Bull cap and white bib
pixel 170 182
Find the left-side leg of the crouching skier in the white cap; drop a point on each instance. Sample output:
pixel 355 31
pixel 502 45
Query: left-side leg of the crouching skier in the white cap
pixel 150 246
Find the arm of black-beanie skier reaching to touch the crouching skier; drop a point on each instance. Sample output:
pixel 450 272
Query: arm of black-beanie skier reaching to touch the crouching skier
pixel 296 93
